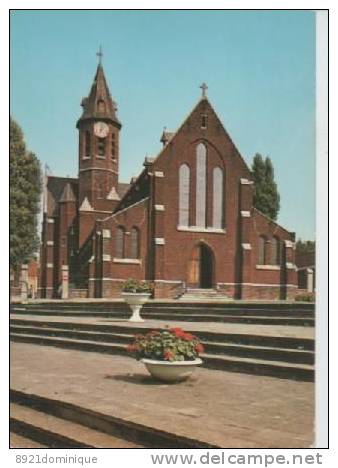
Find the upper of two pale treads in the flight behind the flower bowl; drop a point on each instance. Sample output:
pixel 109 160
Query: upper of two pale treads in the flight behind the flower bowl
pixel 205 342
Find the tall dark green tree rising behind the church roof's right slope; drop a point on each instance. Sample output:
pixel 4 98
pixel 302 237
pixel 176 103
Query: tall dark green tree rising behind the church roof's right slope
pixel 266 197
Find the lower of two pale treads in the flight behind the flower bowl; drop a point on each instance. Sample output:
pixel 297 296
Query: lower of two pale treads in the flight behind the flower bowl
pixel 205 355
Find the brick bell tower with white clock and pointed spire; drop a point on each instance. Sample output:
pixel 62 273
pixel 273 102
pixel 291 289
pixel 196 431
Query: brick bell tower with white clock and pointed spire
pixel 99 130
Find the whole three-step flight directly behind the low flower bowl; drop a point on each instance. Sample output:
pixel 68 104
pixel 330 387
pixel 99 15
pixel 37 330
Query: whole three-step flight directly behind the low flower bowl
pixel 281 357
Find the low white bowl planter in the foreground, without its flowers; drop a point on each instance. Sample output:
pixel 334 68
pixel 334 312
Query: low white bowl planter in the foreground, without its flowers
pixel 174 371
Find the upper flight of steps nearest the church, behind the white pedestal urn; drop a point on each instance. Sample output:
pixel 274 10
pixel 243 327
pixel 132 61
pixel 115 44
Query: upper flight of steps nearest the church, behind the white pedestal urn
pixel 254 313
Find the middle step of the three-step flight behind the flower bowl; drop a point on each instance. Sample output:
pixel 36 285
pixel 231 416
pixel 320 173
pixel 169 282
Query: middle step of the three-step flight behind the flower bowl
pixel 244 350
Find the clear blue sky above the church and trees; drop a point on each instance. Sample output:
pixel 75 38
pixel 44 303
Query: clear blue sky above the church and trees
pixel 259 66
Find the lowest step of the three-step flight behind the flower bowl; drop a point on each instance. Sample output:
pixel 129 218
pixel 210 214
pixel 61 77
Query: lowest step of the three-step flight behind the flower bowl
pixel 226 362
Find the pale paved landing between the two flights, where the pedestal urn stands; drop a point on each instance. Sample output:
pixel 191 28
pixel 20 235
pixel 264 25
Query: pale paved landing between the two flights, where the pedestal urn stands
pixel 232 328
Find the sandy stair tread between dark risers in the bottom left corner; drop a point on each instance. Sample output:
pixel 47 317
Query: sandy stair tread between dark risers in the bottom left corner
pixel 69 429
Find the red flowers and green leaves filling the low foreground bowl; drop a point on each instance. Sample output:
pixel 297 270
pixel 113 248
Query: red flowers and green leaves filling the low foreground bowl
pixel 169 345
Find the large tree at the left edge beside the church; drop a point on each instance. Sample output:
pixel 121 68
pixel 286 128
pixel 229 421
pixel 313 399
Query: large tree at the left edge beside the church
pixel 25 190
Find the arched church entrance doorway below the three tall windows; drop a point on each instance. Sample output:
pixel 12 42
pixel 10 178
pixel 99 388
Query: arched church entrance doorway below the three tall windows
pixel 201 267
